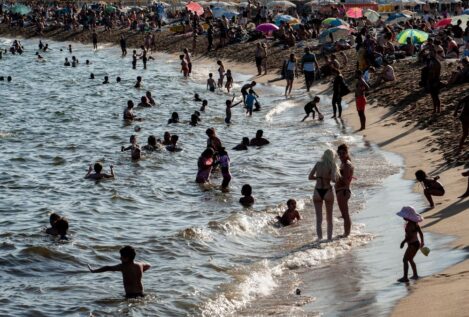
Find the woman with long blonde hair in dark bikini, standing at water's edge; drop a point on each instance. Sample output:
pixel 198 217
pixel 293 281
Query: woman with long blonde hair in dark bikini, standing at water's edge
pixel 325 171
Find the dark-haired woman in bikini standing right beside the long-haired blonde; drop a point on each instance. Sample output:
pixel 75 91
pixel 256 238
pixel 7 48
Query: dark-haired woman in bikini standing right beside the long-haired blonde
pixel 342 187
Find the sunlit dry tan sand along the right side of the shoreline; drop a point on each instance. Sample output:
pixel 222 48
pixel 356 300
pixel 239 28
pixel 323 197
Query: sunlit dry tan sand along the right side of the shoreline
pixel 443 294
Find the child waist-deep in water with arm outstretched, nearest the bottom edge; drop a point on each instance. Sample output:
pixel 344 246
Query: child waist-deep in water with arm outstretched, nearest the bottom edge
pixel 132 272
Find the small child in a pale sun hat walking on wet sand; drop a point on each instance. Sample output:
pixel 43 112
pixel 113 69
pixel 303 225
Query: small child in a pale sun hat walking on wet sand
pixel 412 231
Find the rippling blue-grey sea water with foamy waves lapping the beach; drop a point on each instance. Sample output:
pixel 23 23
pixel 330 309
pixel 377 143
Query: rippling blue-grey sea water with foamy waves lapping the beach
pixel 209 256
